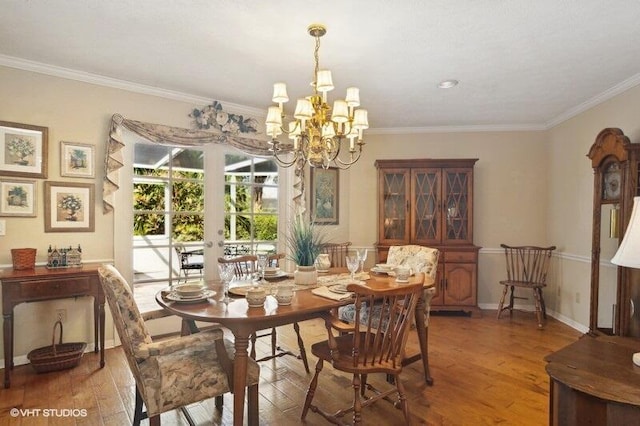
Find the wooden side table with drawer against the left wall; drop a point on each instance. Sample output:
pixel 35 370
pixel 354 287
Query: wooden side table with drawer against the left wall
pixel 41 283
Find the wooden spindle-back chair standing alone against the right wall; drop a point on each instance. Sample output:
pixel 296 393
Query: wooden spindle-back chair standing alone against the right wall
pixel 527 267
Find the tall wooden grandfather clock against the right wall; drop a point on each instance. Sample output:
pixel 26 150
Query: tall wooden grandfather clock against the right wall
pixel 613 189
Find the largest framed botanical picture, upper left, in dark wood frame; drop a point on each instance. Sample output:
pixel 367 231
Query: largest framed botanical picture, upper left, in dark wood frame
pixel 23 150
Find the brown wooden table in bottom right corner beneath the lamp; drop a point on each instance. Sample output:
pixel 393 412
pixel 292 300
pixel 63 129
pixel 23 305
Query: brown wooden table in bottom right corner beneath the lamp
pixel 594 381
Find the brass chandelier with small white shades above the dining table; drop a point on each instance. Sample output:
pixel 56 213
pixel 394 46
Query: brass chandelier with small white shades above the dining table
pixel 317 130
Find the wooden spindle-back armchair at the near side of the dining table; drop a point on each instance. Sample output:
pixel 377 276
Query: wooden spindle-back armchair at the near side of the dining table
pixel 367 347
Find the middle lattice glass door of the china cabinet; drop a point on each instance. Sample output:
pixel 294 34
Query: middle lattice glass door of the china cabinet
pixel 426 224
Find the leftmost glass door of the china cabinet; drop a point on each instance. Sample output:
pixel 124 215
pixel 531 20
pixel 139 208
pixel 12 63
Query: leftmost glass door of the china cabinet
pixel 393 210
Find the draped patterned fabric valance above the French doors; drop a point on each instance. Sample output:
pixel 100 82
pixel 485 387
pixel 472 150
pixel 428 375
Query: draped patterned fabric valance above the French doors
pixel 168 135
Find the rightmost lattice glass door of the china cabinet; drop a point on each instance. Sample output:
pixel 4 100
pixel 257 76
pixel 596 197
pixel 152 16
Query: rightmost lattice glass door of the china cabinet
pixel 457 212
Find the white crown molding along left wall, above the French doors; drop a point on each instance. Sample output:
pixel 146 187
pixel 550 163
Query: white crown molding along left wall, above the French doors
pixel 99 80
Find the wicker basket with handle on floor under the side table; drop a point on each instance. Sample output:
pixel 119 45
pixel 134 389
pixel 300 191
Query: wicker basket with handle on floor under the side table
pixel 57 356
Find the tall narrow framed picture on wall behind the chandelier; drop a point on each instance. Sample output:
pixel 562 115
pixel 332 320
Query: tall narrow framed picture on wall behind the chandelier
pixel 325 195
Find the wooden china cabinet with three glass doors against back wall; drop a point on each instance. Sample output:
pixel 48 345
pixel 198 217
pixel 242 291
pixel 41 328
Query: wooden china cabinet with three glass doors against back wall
pixel 429 202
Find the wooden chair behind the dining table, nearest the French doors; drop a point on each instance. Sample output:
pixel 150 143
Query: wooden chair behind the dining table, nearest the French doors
pixel 246 265
